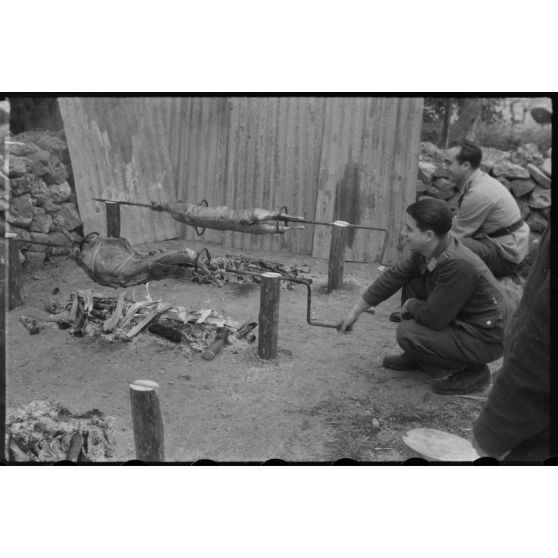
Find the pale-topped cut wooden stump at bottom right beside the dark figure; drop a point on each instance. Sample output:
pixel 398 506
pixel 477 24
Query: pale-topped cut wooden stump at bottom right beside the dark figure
pixel 435 445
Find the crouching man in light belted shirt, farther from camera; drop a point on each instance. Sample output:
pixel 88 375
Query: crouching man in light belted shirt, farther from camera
pixel 488 220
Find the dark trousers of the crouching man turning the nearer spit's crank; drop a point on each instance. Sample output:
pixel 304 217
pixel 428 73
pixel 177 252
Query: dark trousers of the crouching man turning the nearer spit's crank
pixel 446 351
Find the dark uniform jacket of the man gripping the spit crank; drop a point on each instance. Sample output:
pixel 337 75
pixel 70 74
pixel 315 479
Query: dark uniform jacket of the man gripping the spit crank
pixel 461 291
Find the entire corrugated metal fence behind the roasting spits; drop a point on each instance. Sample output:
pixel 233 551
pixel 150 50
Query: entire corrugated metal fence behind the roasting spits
pixel 325 158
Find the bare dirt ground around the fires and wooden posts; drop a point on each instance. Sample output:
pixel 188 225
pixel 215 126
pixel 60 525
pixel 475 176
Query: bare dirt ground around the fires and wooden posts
pixel 316 402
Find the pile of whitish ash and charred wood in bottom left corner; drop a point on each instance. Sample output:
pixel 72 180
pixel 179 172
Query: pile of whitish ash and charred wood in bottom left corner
pixel 47 431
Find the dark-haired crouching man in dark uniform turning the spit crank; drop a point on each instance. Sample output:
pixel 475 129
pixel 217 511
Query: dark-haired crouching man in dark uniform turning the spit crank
pixel 453 314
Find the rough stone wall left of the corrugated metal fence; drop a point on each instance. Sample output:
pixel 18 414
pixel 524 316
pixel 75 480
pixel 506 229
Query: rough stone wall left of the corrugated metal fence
pixel 43 206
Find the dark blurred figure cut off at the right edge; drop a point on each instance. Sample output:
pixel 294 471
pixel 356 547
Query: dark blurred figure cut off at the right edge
pixel 515 423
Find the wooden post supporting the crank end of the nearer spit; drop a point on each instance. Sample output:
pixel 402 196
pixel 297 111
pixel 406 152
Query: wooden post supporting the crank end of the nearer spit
pixel 269 315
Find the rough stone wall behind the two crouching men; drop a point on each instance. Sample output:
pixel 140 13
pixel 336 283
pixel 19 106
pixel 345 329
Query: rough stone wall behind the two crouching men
pixel 525 172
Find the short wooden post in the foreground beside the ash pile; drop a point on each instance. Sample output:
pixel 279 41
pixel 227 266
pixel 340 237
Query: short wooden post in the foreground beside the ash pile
pixel 147 421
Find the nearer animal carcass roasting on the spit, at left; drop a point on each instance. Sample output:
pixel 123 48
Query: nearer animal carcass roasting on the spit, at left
pixel 112 262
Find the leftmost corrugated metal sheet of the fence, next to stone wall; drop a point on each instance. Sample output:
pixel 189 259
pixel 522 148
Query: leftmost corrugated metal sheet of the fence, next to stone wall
pixel 119 150
